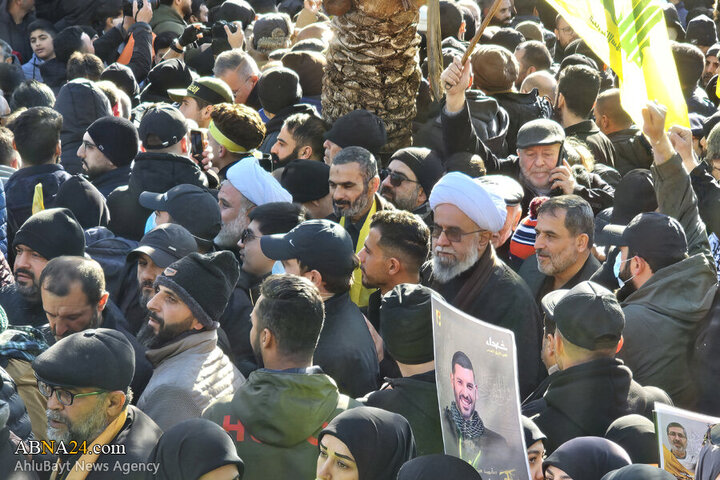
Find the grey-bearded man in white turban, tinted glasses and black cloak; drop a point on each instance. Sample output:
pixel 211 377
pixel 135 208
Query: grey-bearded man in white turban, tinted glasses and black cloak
pixel 466 271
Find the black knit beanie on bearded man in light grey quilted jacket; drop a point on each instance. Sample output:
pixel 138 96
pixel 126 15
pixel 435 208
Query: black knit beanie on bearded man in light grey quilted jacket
pixel 204 283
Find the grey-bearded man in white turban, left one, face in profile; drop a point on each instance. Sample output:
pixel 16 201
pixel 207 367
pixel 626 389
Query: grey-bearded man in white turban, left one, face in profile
pixel 247 186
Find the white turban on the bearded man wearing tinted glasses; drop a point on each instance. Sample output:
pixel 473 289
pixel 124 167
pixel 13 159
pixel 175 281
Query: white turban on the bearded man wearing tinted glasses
pixel 485 208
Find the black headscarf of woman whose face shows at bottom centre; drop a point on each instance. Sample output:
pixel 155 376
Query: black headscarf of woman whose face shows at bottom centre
pixel 379 441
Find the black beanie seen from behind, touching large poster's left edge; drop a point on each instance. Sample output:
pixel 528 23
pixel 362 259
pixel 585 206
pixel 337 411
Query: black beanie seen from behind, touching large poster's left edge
pixel 406 323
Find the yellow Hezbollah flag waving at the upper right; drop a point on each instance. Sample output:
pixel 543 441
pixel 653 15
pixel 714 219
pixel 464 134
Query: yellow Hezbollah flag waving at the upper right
pixel 630 36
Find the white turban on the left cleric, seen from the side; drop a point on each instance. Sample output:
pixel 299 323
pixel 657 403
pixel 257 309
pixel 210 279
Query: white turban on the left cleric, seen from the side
pixel 257 185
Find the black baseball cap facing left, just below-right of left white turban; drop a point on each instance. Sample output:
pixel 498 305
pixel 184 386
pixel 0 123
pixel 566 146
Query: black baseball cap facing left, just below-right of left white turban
pixel 321 245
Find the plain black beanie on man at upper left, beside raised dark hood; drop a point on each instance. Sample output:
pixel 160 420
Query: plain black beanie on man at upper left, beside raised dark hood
pixel 116 138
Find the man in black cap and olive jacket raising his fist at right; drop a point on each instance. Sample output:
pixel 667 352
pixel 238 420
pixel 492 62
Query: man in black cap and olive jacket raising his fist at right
pixel 666 272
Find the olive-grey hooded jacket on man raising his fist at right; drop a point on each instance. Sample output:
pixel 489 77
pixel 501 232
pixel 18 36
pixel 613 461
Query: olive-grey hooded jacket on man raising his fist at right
pixel 663 315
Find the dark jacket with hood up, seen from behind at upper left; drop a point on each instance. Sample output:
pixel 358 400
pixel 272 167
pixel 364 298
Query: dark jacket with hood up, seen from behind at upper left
pixel 81 103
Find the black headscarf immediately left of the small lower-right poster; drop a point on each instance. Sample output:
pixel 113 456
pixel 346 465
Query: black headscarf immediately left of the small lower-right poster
pixel 636 434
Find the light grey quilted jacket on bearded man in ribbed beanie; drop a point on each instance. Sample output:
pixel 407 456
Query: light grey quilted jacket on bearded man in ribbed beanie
pixel 190 373
